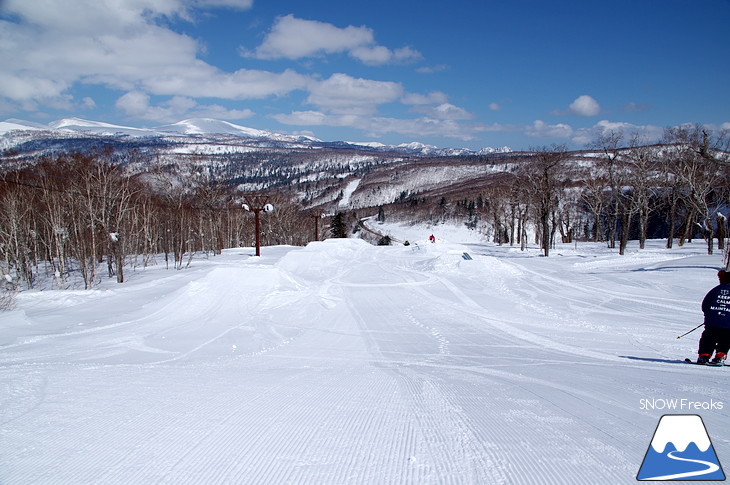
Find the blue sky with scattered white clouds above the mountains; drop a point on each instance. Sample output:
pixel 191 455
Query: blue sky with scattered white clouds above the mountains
pixel 452 74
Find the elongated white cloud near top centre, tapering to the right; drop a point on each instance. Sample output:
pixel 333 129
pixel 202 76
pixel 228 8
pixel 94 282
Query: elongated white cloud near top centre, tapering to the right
pixel 294 38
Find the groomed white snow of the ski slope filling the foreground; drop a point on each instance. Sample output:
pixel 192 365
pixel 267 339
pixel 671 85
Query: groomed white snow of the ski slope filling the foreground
pixel 345 363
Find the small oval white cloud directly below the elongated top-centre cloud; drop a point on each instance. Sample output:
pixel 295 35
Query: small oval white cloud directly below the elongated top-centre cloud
pixel 343 94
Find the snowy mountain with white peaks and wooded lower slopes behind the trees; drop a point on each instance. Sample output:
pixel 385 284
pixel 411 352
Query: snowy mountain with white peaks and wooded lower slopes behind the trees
pixel 317 172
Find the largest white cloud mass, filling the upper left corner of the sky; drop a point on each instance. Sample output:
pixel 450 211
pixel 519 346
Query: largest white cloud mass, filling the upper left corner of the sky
pixel 117 44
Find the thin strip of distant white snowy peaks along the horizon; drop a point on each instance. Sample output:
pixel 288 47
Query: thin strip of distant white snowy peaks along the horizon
pixel 11 130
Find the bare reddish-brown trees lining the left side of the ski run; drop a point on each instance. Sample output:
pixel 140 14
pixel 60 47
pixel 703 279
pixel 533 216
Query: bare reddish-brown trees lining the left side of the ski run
pixel 82 216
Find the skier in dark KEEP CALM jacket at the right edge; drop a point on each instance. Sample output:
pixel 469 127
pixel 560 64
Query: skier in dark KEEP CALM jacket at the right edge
pixel 716 336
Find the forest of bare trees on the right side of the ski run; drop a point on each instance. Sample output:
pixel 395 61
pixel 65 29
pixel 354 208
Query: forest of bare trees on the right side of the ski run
pixel 619 190
